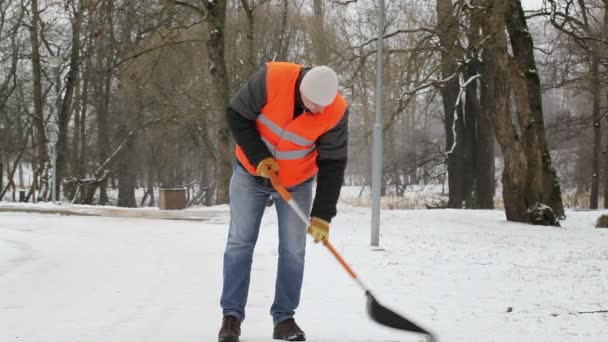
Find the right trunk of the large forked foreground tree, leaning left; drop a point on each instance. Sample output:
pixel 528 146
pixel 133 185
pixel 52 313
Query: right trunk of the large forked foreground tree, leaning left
pixel 543 183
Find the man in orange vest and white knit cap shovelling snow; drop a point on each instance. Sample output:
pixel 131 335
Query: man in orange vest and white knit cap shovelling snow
pixel 290 120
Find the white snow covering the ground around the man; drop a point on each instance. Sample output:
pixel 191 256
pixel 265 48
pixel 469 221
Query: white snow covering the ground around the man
pixel 467 275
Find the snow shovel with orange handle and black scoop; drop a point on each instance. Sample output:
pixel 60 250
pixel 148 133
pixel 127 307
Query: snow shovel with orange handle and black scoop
pixel 376 311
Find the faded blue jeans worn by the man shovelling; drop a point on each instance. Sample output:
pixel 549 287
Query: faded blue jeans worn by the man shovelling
pixel 248 198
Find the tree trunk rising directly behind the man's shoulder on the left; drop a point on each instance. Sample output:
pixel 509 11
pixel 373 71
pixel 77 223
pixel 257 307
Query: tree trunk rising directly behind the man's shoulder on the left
pixel 219 93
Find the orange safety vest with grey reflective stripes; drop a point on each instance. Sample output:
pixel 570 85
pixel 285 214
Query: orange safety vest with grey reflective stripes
pixel 291 141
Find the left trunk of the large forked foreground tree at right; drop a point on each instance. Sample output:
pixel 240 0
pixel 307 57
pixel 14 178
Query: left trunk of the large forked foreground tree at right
pixel 497 88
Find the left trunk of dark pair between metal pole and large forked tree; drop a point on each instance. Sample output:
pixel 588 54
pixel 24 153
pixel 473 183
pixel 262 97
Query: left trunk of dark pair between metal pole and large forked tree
pixel 453 122
